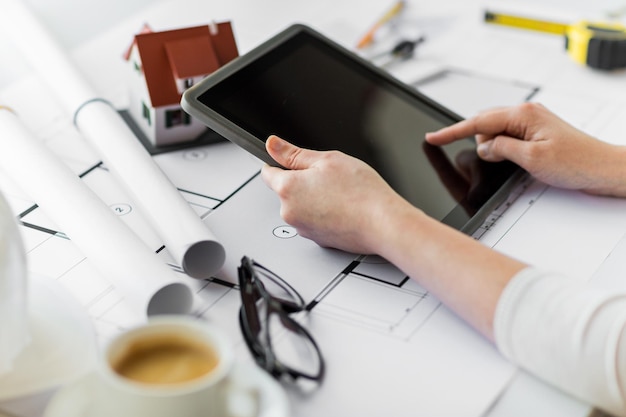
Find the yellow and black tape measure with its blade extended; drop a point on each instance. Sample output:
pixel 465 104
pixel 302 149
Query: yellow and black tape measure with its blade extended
pixel 597 45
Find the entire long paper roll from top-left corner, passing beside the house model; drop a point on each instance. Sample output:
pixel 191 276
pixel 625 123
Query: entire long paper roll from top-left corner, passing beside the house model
pixel 186 237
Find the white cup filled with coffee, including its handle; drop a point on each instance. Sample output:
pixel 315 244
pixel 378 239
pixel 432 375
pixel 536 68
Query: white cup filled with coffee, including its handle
pixel 217 392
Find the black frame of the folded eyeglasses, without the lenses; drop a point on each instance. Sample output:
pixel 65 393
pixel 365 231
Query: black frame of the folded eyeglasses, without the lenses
pixel 252 289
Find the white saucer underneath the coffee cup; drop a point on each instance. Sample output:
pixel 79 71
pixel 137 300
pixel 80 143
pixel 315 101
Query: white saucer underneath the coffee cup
pixel 76 399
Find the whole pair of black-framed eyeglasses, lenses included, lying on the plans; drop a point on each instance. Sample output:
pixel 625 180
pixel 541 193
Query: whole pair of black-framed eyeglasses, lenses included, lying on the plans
pixel 278 343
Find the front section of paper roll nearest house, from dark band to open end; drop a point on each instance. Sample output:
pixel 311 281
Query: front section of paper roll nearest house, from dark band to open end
pixel 187 238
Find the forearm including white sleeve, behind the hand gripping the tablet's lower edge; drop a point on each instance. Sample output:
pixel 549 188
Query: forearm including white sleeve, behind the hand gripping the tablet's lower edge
pixel 562 332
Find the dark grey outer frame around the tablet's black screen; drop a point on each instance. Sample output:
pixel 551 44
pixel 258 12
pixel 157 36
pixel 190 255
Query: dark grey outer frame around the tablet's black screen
pixel 191 104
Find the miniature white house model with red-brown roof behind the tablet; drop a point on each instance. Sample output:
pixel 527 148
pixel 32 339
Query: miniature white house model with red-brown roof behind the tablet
pixel 162 65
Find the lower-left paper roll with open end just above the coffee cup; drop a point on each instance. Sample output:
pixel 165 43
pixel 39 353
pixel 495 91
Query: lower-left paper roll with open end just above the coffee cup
pixel 149 285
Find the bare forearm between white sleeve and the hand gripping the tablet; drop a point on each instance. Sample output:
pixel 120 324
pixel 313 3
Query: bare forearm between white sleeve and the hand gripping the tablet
pixel 461 272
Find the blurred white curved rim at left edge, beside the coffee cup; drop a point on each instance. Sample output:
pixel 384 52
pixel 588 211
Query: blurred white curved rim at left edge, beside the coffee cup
pixel 62 346
